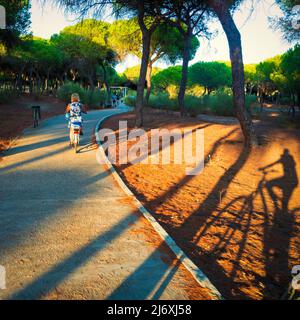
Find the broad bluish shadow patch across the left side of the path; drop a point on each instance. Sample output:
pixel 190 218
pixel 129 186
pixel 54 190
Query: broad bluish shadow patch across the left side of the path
pixel 26 217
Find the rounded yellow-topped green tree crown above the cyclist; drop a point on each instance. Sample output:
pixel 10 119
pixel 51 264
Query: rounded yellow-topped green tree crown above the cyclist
pixel 87 53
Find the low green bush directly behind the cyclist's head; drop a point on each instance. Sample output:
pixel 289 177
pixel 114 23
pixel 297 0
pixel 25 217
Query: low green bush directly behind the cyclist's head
pixel 93 99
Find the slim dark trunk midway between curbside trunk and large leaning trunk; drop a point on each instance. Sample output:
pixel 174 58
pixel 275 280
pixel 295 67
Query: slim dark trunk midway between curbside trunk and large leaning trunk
pixel 184 73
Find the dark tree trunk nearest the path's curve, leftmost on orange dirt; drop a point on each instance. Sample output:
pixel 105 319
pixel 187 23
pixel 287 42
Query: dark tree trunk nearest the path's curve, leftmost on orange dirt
pixel 142 79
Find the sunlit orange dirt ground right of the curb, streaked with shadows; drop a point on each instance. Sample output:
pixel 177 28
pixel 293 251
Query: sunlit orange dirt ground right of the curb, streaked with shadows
pixel 239 224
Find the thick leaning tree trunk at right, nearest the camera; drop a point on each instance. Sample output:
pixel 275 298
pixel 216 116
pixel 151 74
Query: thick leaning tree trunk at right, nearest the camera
pixel 236 57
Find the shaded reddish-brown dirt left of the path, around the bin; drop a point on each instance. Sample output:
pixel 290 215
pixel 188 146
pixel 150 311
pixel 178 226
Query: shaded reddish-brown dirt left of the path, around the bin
pixel 17 115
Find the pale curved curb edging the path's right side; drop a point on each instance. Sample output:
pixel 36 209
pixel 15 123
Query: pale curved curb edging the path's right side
pixel 198 275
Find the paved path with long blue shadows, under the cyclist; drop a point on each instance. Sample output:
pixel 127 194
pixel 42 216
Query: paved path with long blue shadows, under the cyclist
pixel 67 231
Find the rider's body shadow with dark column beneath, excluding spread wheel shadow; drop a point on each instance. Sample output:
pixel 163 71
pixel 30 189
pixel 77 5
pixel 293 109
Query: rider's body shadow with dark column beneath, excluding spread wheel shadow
pixel 279 226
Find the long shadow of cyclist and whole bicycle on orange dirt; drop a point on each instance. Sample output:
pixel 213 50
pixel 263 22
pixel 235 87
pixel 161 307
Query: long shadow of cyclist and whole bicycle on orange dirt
pixel 278 228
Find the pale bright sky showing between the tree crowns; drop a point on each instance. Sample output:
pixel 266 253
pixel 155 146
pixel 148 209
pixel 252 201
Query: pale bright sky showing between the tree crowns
pixel 258 40
